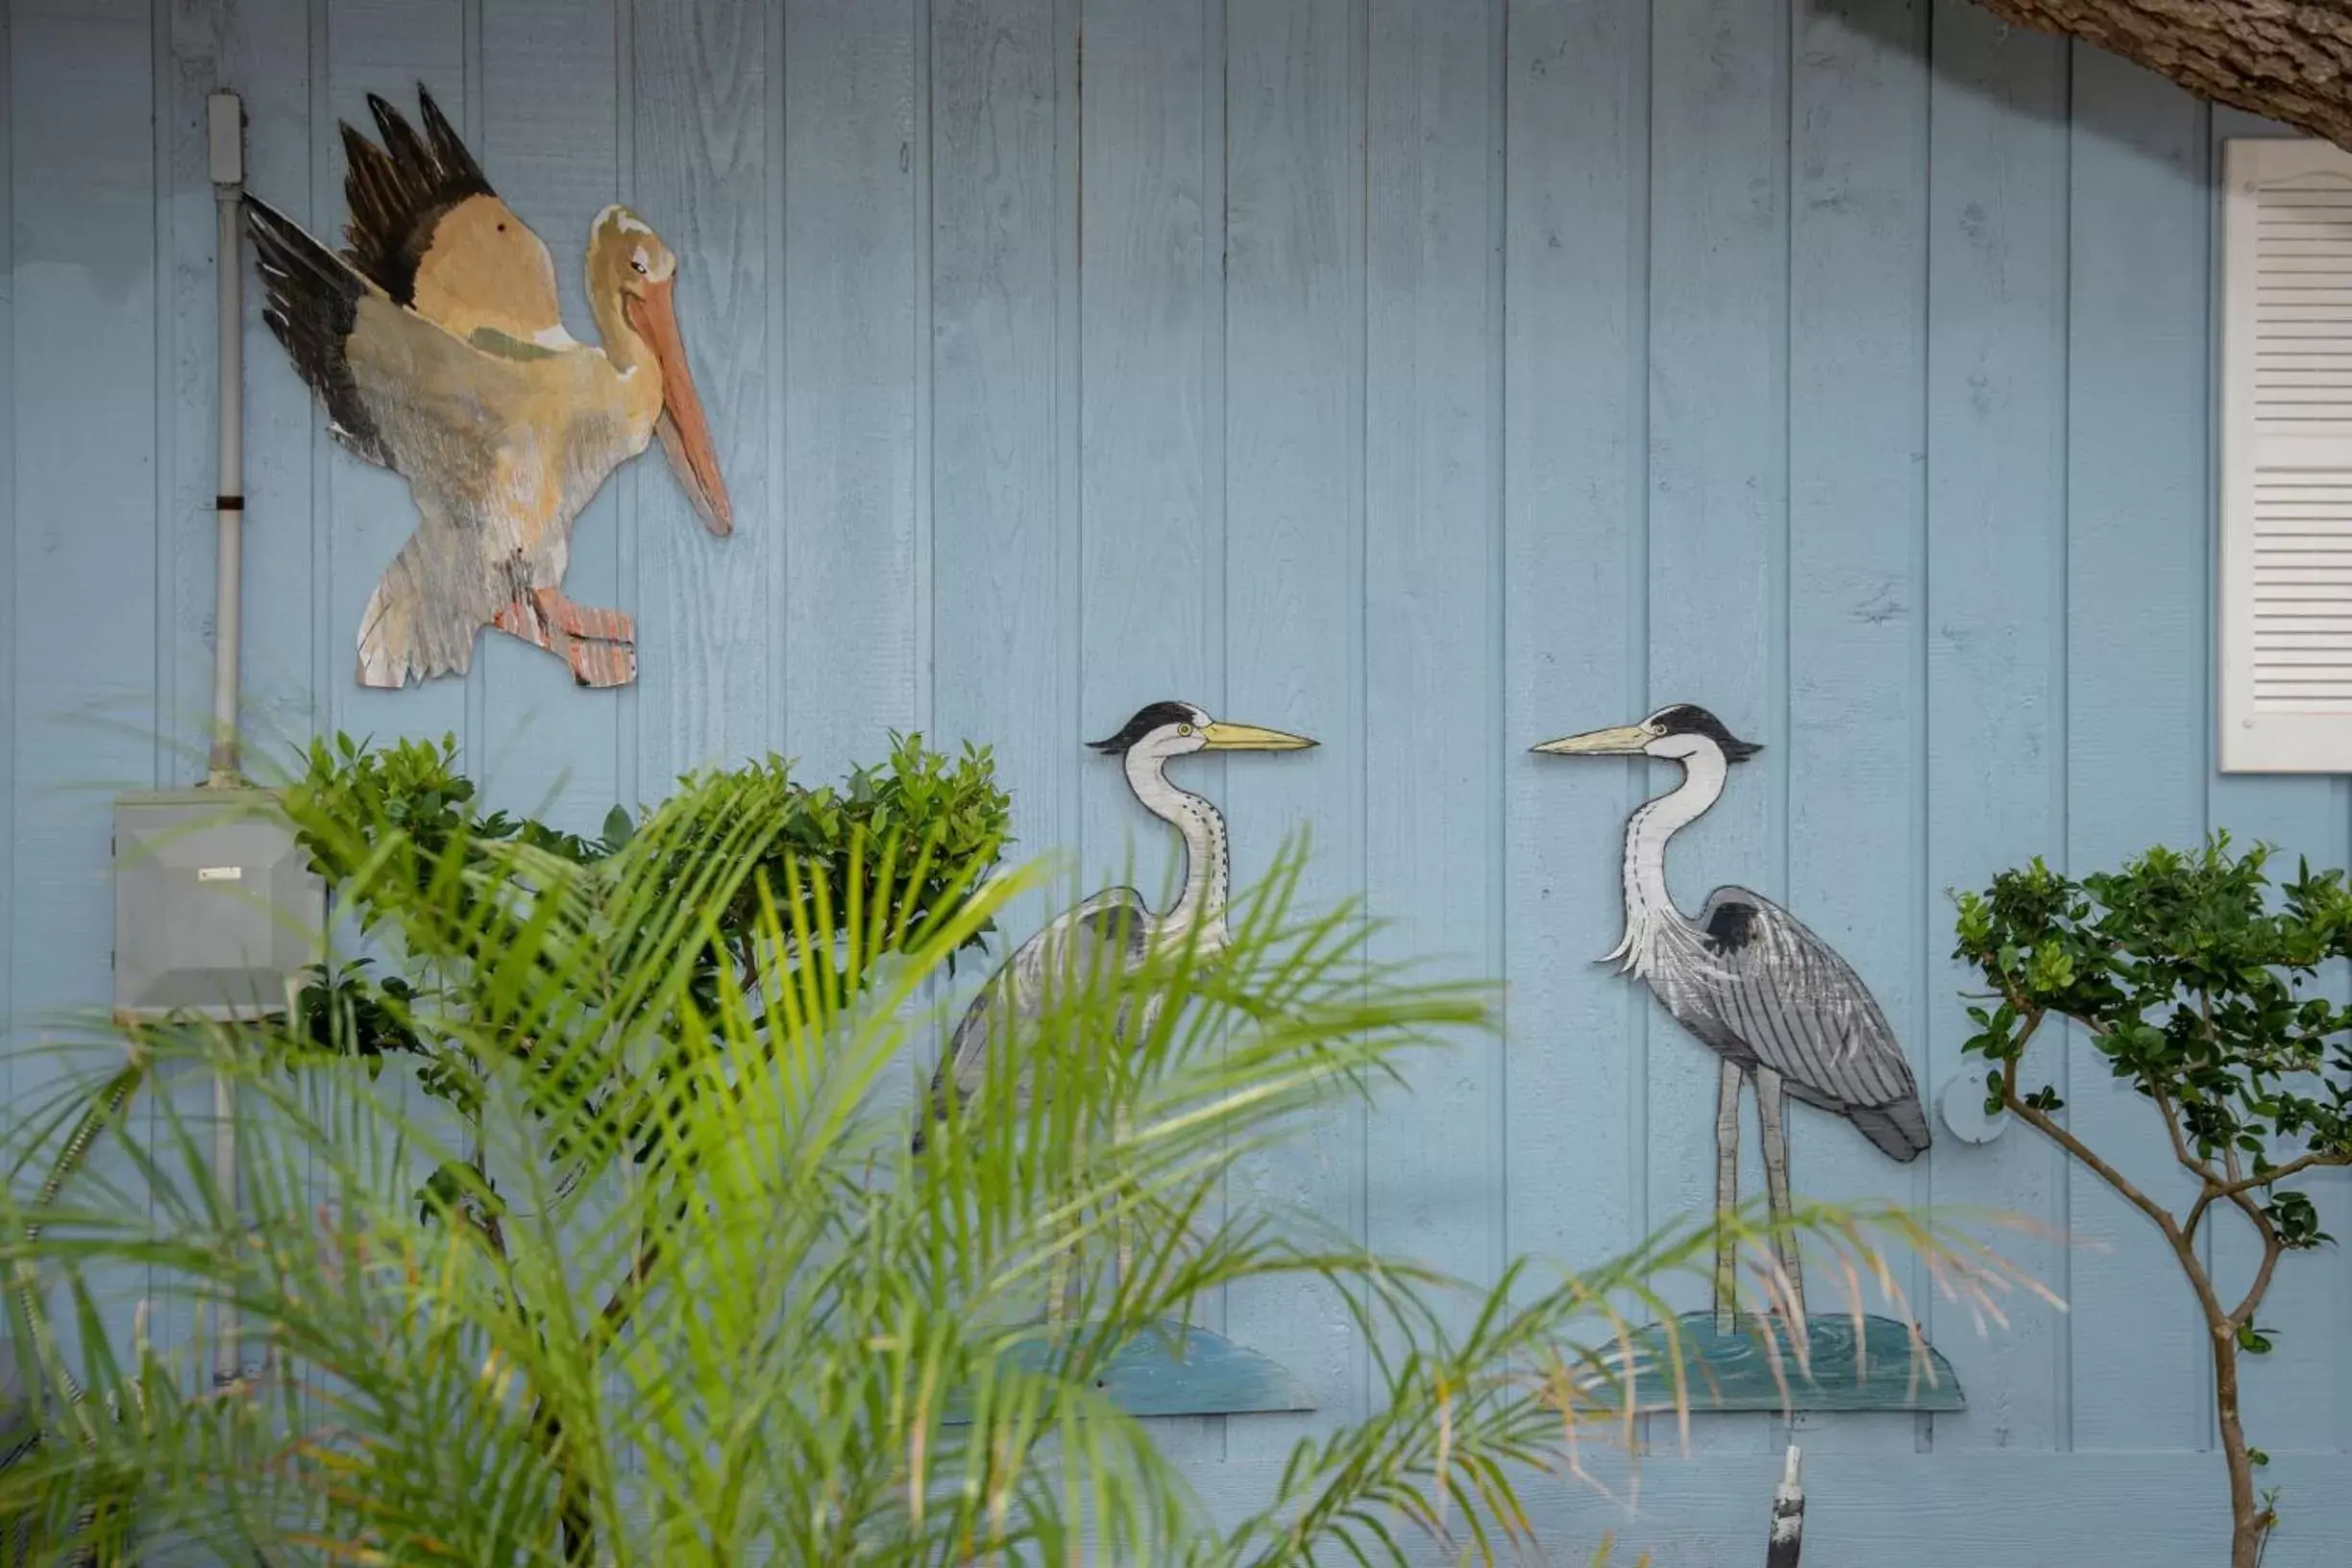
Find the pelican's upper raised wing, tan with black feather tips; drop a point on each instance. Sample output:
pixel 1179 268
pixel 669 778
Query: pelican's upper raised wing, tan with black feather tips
pixel 434 236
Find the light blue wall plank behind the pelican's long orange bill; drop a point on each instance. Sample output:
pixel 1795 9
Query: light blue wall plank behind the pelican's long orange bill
pixel 709 608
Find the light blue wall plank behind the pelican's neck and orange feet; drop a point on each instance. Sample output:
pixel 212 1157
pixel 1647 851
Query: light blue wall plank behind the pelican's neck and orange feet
pixel 552 149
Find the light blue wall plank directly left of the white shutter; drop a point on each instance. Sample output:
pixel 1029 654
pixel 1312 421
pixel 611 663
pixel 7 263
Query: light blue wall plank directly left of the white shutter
pixel 2139 737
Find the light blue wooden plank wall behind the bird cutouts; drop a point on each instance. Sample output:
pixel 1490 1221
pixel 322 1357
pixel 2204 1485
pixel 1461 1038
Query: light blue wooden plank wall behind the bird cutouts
pixel 1424 375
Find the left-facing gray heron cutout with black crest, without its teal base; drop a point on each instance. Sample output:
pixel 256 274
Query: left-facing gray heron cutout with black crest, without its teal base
pixel 1765 996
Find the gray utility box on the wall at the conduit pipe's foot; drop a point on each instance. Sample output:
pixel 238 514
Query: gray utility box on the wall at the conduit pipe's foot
pixel 218 911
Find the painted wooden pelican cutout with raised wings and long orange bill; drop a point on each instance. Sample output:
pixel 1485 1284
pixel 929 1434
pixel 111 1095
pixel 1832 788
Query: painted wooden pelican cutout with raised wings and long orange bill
pixel 439 347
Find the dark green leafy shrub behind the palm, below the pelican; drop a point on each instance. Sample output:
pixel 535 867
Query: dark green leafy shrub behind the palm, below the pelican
pixel 401 831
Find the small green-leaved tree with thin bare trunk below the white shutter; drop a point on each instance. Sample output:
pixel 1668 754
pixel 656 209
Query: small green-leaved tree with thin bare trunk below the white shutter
pixel 2203 991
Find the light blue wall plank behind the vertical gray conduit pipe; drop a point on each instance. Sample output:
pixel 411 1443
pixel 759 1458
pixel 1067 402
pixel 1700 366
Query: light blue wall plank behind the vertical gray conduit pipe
pixel 262 53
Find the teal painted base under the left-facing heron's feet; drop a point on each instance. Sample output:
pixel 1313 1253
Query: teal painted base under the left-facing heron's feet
pixel 1876 1369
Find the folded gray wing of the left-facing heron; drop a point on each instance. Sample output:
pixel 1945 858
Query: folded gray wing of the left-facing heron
pixel 1805 1014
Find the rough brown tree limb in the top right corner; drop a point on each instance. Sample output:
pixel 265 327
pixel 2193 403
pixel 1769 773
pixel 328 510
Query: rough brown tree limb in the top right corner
pixel 2283 60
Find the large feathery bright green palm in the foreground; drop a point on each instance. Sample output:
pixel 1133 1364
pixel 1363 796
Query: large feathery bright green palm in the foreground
pixel 742 1320
